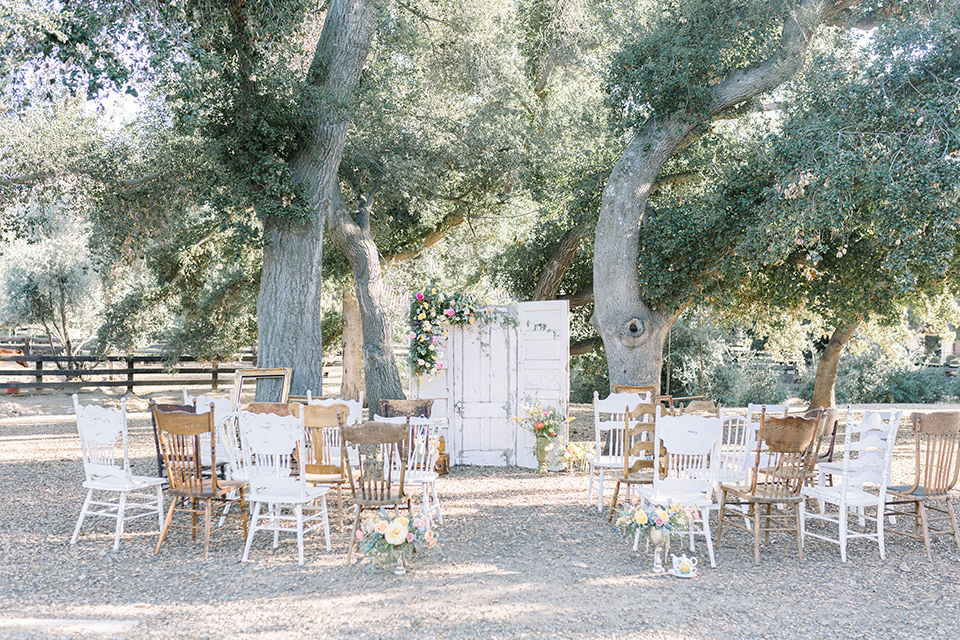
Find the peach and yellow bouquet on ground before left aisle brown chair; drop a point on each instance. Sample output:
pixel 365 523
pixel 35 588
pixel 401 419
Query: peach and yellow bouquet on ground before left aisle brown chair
pixel 387 540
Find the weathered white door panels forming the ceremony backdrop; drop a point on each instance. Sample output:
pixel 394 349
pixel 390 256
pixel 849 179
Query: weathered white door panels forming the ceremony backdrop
pixel 487 373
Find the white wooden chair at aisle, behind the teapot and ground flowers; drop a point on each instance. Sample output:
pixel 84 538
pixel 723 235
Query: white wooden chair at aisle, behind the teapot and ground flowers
pixel 690 443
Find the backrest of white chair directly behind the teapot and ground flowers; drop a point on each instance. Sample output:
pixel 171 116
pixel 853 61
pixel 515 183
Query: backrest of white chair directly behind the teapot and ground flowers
pixel 690 442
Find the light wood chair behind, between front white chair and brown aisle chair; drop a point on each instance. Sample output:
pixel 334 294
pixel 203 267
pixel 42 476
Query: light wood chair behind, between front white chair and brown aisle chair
pixel 324 463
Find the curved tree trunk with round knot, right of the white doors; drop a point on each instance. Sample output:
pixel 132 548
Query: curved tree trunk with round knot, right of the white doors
pixel 632 332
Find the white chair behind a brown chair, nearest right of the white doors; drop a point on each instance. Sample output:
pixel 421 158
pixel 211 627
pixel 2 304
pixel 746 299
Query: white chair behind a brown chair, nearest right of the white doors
pixel 608 427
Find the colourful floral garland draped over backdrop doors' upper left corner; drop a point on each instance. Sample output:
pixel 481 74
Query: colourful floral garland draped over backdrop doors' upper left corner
pixel 427 310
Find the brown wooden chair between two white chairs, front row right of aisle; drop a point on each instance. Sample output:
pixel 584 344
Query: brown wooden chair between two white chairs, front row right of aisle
pixel 786 451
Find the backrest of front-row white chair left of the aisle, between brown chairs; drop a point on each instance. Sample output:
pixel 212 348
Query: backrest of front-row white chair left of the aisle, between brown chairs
pixel 269 443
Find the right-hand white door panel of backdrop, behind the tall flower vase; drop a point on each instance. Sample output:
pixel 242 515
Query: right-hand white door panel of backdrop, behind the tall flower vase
pixel 543 364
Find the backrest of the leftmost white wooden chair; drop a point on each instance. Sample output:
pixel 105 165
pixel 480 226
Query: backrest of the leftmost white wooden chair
pixel 101 430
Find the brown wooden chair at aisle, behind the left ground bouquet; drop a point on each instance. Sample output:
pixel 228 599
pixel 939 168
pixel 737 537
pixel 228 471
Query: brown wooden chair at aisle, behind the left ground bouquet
pixel 377 483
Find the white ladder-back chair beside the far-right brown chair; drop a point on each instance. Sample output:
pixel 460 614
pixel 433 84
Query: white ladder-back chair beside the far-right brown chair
pixel 867 459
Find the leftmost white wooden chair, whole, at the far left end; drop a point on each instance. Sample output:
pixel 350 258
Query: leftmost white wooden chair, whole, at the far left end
pixel 107 471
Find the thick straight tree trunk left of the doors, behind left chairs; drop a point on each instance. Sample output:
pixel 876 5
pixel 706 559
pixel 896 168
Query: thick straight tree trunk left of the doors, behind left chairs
pixel 288 307
